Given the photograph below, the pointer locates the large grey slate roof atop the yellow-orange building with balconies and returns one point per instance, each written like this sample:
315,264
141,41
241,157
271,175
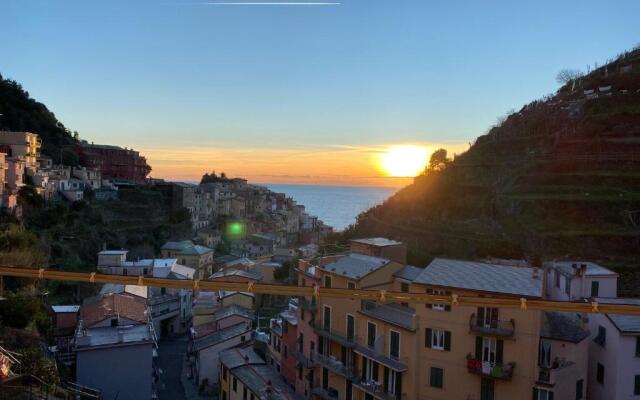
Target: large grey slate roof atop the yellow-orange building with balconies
483,277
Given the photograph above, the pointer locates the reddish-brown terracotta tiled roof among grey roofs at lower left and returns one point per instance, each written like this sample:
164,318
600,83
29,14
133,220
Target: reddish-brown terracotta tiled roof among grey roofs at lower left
114,305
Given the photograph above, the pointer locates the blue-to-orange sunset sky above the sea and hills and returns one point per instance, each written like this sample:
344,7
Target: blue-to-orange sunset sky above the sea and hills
311,93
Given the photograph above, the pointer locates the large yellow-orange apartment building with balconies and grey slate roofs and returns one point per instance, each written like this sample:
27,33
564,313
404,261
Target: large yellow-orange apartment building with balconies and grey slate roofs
369,350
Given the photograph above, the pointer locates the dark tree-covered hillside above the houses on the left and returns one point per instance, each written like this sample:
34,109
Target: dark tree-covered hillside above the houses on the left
22,113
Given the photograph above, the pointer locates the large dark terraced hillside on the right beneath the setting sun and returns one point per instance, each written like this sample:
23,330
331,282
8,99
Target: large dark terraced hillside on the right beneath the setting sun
559,178
